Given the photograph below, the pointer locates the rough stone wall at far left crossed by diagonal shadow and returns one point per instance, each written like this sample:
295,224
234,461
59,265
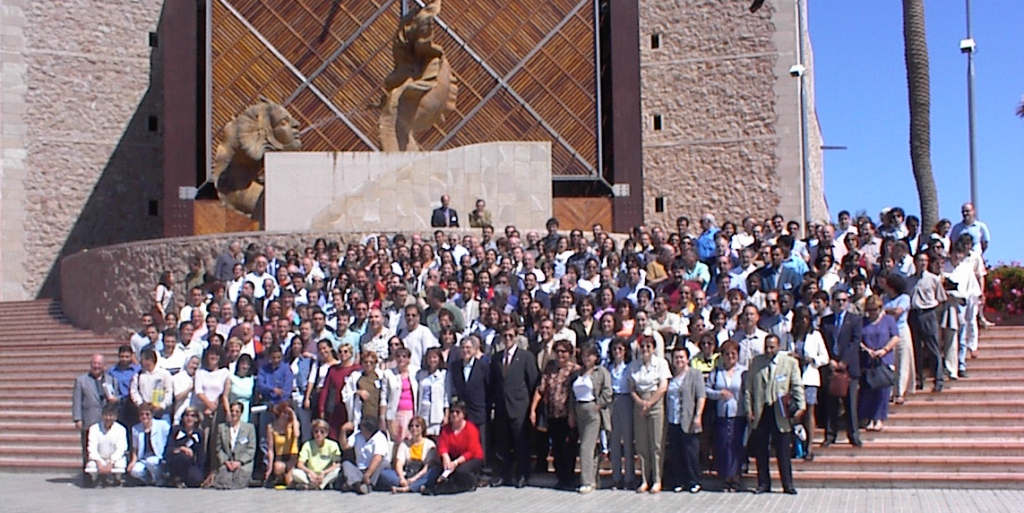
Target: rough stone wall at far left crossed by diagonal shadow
81,160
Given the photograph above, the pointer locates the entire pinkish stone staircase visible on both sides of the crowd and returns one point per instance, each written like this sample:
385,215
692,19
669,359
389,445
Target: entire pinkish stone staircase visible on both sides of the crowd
971,436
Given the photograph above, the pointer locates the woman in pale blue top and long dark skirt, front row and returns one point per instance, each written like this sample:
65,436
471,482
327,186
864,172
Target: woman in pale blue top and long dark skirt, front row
726,388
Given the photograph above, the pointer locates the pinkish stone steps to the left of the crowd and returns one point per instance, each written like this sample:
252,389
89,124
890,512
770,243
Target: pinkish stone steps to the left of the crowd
40,357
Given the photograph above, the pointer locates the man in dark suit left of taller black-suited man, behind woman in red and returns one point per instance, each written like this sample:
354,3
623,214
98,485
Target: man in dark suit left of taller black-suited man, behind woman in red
470,378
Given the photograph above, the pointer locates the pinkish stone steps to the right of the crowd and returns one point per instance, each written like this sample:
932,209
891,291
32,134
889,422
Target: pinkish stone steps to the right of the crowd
971,436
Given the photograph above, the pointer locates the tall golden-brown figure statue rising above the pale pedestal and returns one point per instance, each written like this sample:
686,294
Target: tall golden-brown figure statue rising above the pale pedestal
422,89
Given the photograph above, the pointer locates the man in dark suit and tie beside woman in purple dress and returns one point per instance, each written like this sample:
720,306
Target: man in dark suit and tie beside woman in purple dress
842,332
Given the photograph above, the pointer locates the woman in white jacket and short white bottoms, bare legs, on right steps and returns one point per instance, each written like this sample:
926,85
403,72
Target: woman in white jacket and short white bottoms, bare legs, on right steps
807,346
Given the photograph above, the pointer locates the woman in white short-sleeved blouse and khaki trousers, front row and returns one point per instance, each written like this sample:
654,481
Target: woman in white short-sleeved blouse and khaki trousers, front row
649,381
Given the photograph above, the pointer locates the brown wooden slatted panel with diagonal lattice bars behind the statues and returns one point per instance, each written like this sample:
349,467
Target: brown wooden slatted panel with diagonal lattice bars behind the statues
527,71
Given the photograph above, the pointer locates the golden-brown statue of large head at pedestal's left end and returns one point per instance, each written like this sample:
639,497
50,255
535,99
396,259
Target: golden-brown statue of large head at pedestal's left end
238,166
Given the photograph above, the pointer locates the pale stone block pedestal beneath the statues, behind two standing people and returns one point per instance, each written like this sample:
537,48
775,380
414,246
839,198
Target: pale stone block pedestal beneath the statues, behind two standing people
389,192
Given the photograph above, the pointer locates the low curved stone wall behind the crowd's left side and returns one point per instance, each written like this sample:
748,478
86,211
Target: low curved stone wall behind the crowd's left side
108,289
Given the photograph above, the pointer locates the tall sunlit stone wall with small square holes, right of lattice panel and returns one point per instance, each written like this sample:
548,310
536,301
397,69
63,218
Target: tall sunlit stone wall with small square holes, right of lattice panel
730,141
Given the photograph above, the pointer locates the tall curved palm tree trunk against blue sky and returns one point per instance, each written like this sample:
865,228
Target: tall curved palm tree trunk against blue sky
919,90
